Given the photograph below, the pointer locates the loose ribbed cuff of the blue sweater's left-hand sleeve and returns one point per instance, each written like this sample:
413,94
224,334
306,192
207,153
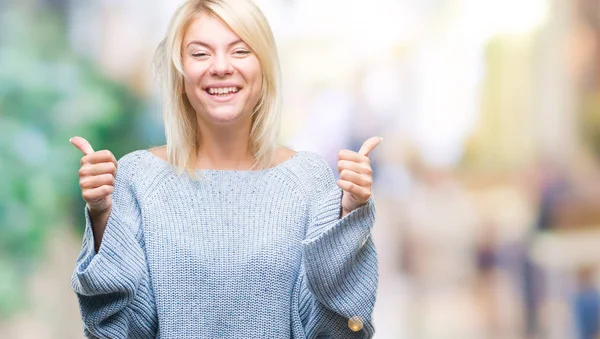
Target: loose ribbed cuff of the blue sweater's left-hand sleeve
119,263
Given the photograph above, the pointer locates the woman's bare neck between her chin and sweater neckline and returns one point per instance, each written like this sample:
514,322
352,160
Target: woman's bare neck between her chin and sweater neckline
225,147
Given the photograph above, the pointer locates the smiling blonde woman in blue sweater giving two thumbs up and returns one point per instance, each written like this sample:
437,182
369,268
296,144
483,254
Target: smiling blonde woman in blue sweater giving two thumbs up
221,233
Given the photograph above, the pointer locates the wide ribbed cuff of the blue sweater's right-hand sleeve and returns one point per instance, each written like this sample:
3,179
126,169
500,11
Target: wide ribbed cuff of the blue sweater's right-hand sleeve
340,260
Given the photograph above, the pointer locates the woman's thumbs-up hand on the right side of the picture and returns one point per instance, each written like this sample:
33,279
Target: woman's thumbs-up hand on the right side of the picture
356,175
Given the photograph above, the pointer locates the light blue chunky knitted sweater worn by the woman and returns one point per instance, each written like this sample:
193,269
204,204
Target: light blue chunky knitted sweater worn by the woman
236,254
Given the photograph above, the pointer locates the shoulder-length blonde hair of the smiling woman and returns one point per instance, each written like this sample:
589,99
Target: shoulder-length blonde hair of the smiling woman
181,126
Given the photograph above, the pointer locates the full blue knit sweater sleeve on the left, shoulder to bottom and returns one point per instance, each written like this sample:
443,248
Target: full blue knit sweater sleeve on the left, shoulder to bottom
113,286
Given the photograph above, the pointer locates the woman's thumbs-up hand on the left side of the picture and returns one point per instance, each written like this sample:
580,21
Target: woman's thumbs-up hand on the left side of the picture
96,176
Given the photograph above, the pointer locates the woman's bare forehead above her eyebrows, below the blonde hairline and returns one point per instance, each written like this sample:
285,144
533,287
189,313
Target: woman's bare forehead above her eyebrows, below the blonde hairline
209,29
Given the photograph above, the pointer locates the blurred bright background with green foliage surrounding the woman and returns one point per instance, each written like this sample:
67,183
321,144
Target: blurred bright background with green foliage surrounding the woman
487,181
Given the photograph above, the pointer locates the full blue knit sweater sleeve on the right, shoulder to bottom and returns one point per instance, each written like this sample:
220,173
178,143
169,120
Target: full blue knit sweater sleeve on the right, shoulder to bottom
339,274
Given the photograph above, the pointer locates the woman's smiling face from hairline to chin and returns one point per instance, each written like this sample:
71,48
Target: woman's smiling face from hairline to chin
224,77
